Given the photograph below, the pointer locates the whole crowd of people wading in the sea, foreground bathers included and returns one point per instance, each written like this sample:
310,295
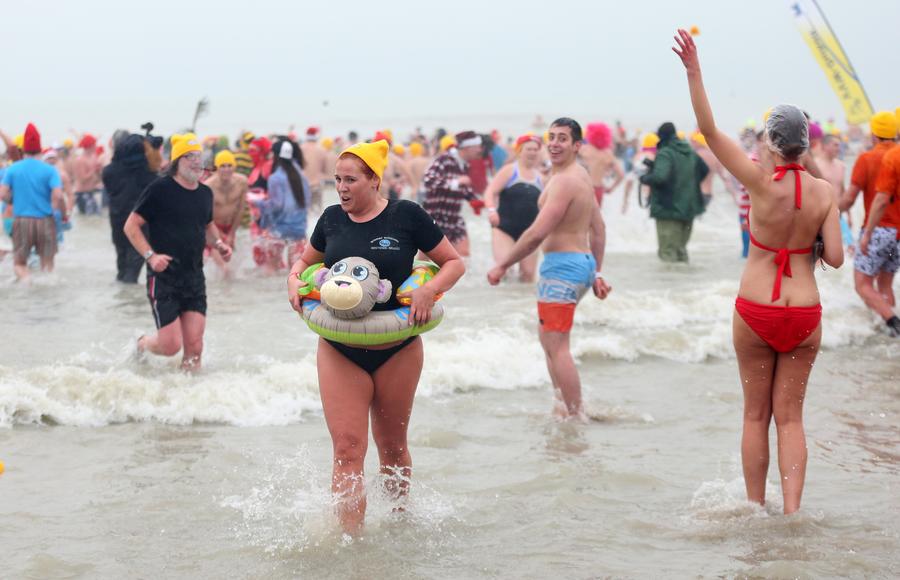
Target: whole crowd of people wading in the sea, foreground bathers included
175,203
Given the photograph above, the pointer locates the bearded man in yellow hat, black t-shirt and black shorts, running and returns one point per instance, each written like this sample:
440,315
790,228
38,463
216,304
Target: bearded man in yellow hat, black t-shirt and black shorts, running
177,210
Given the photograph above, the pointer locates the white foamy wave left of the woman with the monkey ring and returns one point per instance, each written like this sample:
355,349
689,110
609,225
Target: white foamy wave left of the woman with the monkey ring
72,393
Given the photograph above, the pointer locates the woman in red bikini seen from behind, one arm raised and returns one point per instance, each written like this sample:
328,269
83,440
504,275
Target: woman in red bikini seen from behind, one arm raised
777,318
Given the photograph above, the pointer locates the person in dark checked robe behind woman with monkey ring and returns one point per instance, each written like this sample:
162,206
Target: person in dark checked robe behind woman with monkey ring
448,185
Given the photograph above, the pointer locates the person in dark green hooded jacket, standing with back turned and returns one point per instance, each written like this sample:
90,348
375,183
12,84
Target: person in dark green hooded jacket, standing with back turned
675,197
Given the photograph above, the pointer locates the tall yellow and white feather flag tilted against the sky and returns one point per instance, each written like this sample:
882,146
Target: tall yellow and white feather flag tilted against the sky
831,57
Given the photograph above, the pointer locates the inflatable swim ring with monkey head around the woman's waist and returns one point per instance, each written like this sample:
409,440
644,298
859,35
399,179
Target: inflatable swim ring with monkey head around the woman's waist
337,303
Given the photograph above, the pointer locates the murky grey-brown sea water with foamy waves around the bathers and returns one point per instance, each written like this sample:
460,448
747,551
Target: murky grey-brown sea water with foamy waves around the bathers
122,467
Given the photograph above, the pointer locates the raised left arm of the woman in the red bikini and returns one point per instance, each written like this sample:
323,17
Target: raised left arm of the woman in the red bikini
725,149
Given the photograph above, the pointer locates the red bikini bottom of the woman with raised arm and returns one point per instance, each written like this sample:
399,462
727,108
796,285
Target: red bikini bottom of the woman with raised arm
782,327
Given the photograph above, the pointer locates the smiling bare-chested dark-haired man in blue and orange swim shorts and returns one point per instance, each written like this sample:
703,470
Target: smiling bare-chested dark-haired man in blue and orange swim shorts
570,231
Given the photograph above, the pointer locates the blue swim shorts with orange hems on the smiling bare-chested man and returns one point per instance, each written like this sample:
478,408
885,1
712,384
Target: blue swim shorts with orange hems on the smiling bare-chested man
565,278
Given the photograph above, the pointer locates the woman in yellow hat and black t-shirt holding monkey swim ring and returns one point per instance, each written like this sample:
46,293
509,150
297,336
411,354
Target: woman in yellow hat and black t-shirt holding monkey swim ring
356,383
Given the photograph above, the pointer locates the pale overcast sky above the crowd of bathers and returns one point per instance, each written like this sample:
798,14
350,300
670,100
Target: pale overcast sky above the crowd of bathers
96,65
